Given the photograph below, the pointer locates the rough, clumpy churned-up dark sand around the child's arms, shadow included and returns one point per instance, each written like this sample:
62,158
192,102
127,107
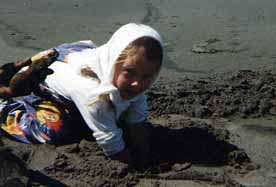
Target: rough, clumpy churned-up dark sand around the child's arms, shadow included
187,143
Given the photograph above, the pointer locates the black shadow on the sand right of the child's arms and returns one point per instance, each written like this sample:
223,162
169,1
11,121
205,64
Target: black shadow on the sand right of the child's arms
197,144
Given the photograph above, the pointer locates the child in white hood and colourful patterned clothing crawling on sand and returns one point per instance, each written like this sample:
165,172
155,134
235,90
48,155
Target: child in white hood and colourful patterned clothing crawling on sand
105,84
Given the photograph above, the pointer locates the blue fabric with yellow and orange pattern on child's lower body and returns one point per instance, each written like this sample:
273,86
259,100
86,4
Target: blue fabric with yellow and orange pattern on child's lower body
33,120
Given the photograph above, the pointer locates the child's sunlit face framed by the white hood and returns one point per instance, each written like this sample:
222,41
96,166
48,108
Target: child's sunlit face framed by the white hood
135,75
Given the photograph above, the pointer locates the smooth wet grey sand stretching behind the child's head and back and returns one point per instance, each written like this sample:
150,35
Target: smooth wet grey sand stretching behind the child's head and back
245,30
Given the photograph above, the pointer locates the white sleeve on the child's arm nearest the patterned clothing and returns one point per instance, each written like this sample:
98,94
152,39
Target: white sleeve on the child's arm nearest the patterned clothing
100,118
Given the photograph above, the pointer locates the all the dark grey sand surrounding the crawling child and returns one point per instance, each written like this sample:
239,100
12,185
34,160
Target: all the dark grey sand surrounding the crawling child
212,110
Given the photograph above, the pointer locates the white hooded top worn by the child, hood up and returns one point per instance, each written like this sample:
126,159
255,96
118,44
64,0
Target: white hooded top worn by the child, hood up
68,82
